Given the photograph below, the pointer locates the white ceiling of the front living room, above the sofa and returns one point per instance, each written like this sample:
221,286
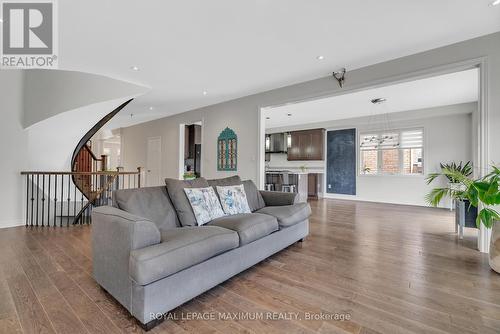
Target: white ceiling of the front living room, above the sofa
233,48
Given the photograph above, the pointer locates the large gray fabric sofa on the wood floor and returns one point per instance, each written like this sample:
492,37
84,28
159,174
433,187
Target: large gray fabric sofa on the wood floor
149,254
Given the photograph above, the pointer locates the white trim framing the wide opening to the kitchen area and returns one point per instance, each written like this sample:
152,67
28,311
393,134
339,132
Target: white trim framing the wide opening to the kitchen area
481,63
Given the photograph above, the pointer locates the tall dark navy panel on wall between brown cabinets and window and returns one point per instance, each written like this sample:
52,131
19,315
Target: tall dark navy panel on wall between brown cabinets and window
341,162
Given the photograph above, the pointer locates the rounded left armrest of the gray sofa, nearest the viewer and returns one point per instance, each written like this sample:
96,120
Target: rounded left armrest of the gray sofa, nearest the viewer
115,233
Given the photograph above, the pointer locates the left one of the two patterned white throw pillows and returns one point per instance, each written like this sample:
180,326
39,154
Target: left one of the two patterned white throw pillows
205,204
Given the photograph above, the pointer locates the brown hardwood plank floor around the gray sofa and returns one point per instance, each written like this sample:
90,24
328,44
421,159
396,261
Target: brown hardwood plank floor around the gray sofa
387,268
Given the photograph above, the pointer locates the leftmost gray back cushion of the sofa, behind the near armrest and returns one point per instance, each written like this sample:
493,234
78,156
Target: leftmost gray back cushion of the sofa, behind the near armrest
151,203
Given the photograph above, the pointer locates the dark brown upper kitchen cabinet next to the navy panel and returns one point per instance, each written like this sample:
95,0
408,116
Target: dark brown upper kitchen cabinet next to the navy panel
307,145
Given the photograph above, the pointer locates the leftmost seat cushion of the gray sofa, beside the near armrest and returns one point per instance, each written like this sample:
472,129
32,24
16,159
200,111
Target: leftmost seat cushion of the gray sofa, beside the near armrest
180,248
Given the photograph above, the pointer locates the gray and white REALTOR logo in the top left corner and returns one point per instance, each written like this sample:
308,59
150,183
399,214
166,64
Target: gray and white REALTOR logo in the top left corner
29,34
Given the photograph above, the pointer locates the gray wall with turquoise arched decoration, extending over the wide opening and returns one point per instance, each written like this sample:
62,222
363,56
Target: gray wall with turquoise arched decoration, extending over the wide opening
242,114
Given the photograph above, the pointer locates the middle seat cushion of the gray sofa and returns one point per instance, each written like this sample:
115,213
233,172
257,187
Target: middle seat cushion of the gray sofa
249,226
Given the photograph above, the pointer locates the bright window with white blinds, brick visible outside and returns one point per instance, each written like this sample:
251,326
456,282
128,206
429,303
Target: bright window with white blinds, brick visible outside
395,152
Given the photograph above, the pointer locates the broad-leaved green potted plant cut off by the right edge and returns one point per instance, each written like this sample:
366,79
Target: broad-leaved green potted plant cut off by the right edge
484,193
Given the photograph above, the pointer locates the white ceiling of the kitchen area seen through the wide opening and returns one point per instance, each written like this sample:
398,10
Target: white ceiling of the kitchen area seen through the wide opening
443,90
